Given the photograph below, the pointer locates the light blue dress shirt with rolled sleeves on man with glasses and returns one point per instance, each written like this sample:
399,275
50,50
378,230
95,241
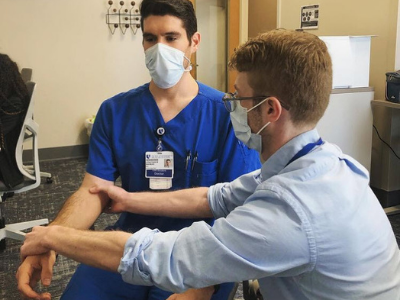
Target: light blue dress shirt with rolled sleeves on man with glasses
311,229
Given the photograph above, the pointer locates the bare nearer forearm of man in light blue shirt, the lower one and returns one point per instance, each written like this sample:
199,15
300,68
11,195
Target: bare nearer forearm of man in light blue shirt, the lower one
95,248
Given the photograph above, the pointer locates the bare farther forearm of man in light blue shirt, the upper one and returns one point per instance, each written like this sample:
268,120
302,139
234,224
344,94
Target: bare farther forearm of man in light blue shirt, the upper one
187,203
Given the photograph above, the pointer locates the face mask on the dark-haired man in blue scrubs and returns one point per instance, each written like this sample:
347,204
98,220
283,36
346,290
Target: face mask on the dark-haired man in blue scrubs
165,65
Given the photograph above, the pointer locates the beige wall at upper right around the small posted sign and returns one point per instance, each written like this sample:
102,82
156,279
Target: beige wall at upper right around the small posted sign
357,17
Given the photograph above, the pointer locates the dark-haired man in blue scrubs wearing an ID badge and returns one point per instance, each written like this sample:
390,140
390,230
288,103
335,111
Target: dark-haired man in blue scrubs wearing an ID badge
173,118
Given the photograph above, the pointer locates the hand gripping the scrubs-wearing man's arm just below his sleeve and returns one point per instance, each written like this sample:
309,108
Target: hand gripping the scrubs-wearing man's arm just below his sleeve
118,197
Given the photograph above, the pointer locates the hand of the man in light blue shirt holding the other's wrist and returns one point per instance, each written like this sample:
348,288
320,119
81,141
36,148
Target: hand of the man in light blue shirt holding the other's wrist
33,244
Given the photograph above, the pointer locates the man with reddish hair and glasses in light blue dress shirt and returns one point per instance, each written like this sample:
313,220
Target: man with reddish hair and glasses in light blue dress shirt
306,225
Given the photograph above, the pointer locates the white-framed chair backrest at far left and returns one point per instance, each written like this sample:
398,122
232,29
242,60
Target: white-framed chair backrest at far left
29,129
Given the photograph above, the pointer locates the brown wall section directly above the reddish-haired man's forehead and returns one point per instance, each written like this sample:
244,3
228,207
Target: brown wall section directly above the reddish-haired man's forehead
262,16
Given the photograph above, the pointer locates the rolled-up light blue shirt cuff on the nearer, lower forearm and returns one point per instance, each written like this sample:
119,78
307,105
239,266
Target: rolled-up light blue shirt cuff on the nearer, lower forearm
131,266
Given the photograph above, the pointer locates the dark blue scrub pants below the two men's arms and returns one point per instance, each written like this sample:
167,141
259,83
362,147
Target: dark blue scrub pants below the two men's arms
90,283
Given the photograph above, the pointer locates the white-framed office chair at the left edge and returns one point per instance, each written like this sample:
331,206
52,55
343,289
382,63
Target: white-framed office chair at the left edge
31,178
